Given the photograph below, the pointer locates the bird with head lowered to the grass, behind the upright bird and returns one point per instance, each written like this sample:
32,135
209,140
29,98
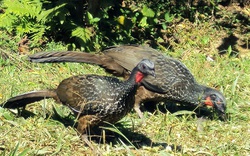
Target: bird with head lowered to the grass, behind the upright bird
174,82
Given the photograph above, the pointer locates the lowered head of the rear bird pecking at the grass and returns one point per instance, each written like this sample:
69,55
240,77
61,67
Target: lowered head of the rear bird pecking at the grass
215,99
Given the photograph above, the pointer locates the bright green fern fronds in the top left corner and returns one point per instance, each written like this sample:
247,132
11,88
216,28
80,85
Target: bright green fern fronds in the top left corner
24,17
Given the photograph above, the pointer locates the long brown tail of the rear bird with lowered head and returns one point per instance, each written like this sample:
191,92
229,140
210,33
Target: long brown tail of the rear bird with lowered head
66,56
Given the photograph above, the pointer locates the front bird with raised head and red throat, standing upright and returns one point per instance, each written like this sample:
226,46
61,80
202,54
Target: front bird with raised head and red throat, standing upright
94,99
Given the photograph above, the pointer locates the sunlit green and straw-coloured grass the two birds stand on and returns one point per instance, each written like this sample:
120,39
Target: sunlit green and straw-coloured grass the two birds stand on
47,127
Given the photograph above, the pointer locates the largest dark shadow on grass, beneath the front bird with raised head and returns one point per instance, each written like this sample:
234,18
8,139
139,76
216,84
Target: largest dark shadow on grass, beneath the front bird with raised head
119,135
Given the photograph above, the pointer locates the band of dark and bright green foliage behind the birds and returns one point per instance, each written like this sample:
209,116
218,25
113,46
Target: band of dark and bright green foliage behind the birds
80,26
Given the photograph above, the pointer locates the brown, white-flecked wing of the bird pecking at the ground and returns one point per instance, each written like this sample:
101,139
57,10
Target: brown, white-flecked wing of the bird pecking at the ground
170,73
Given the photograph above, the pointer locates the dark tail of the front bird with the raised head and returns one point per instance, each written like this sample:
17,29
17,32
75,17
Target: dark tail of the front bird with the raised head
30,97
